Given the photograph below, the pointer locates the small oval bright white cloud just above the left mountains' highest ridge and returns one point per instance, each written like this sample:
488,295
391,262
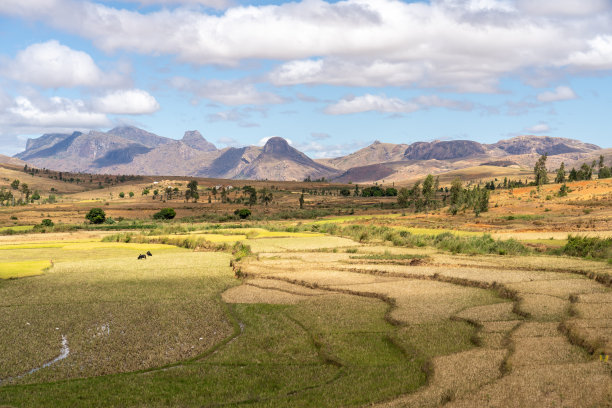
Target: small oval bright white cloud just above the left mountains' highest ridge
126,102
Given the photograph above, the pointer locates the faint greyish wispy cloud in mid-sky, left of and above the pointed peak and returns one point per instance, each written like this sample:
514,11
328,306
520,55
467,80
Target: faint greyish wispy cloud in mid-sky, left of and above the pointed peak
232,93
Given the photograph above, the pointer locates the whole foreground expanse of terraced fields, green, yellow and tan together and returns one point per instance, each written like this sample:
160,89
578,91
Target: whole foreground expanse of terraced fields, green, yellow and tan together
313,320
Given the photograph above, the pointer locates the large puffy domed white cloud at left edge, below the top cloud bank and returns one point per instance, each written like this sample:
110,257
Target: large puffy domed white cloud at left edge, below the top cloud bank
53,65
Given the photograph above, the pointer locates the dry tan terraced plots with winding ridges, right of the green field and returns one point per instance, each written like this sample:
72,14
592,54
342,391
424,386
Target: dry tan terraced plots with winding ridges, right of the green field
541,349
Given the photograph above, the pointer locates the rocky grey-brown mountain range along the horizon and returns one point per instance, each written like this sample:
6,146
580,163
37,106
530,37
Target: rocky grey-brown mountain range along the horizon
130,150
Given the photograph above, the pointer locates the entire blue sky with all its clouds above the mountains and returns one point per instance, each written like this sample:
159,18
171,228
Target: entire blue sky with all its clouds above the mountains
330,76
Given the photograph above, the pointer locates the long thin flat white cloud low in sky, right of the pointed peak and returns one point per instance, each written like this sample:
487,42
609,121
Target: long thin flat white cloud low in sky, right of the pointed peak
382,103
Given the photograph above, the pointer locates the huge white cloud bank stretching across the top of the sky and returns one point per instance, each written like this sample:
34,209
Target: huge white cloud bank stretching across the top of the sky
453,44
